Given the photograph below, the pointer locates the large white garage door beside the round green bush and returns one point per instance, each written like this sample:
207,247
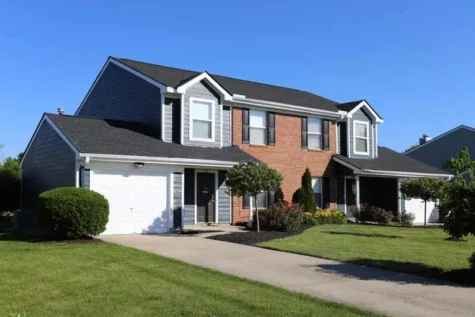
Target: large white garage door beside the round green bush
137,200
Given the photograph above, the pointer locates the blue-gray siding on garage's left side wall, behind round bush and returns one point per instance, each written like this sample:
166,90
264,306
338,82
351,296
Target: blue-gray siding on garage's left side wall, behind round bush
49,163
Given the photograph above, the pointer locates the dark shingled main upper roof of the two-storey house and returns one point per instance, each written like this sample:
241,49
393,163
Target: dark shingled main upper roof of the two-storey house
173,77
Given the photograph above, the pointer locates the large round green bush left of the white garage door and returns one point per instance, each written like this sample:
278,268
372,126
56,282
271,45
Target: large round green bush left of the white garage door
72,213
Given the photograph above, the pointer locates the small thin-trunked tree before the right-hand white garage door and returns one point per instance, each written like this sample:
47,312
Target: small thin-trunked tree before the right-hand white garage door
427,189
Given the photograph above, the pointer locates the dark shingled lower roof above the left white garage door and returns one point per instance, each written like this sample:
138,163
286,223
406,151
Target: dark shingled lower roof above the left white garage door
114,137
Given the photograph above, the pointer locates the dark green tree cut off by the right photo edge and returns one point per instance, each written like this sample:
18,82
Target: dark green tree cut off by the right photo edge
459,196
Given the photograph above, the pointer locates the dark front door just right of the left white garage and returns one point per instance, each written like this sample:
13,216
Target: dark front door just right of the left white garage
205,200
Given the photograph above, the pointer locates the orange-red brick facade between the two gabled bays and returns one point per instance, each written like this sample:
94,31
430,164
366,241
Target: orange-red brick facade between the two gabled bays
287,157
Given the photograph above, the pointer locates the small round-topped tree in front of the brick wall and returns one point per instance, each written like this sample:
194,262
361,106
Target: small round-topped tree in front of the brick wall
252,179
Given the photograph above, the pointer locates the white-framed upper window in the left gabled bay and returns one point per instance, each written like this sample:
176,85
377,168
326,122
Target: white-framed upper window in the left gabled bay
201,119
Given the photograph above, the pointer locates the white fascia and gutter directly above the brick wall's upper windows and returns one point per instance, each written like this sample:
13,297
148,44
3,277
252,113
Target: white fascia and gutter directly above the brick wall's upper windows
286,108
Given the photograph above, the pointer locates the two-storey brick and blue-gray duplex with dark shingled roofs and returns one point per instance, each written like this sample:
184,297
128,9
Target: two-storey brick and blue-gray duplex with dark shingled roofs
157,141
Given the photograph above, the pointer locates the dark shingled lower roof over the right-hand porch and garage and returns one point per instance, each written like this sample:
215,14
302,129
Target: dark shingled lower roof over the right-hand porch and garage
389,160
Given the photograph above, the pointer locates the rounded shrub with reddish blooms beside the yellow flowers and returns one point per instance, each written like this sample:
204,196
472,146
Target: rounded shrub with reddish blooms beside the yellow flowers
281,216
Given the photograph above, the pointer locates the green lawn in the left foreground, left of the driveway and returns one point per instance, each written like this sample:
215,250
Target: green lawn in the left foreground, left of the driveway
102,279
